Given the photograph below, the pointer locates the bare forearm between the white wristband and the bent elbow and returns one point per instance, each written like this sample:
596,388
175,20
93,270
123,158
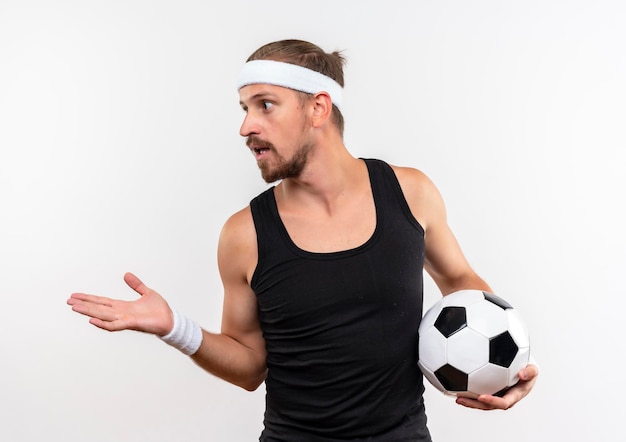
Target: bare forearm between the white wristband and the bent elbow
231,360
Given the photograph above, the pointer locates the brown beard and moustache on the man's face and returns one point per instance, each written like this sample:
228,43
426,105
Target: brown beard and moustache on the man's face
282,167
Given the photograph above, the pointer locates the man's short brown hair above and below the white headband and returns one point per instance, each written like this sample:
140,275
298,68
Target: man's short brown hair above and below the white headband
308,55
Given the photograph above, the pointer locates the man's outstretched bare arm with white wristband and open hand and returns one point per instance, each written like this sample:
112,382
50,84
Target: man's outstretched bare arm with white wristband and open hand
237,354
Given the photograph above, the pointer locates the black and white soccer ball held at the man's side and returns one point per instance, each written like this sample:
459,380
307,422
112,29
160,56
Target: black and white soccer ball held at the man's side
472,343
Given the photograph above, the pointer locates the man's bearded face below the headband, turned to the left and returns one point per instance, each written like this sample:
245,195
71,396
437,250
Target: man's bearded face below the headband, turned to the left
276,129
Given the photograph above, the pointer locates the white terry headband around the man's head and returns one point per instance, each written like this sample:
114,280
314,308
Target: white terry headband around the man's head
291,76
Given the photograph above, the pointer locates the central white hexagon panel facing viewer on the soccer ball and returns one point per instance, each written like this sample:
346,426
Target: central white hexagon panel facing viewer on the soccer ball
468,350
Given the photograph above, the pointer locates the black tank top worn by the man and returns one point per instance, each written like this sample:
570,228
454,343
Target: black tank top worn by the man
341,328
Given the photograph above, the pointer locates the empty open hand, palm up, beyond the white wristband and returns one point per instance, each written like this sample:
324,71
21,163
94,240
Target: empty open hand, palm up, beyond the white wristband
150,313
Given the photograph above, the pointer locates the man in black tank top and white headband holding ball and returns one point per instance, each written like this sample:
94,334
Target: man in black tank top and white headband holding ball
322,273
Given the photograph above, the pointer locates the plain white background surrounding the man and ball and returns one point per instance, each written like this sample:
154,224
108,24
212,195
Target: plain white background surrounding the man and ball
119,151
